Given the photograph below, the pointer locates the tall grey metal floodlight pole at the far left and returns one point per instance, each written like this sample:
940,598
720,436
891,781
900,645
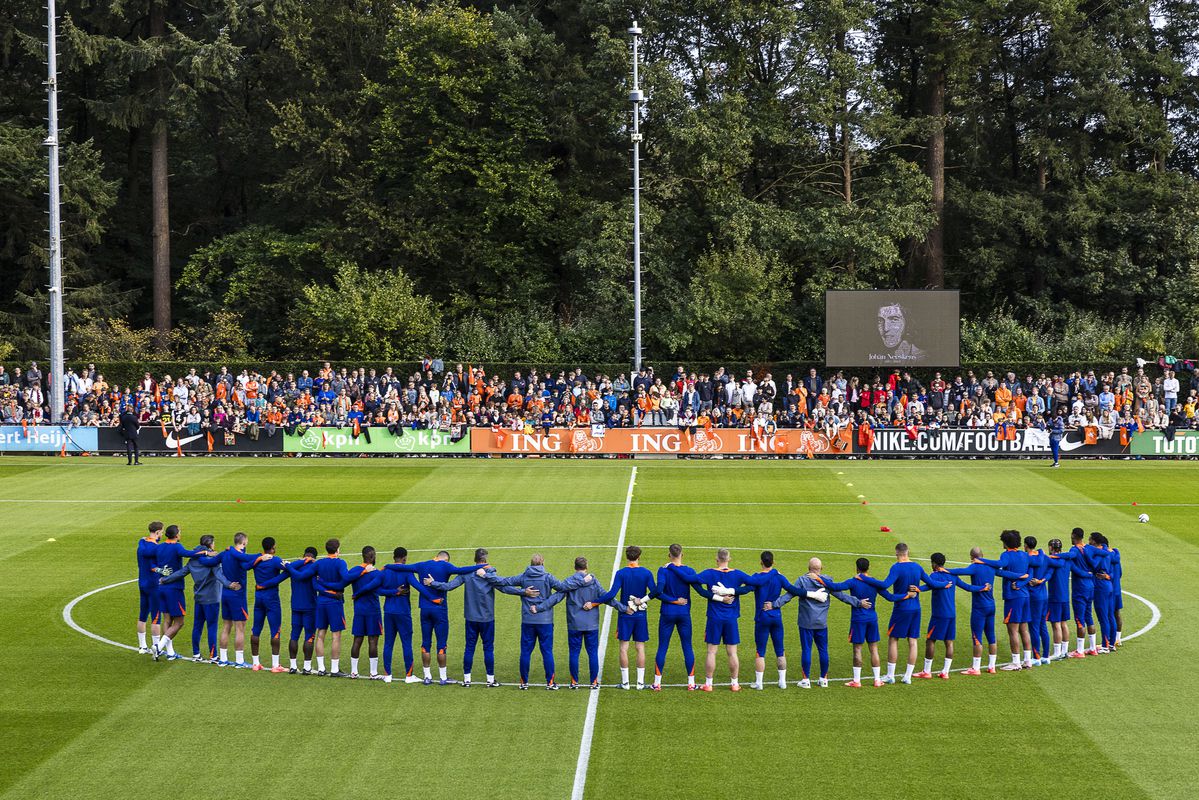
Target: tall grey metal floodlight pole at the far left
56,290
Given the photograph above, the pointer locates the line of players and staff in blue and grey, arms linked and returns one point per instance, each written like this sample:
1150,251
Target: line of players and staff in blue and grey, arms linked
1040,592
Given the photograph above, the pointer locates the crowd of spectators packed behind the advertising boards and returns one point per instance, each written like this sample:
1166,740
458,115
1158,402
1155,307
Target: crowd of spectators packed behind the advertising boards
462,396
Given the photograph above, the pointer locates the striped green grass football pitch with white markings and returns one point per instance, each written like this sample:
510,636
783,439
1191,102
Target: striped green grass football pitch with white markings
82,718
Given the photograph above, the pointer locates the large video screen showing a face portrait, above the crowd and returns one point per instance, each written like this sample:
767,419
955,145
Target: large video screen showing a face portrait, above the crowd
891,329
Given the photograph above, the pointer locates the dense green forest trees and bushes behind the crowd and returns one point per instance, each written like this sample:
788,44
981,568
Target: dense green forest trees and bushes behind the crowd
473,160
